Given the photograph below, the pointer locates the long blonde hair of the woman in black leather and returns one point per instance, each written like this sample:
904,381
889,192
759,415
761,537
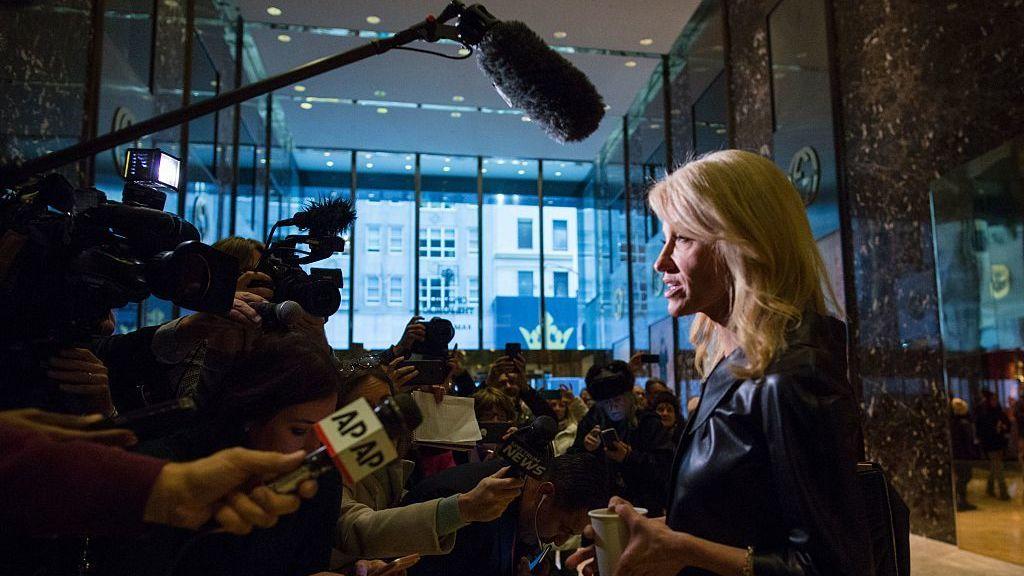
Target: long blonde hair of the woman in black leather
746,209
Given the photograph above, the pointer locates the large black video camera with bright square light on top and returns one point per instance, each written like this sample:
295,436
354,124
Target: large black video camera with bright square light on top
70,256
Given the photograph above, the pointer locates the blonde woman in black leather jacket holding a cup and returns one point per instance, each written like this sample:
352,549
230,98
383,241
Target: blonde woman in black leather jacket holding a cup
764,477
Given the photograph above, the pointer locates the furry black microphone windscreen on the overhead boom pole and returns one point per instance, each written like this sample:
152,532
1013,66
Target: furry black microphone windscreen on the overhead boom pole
540,81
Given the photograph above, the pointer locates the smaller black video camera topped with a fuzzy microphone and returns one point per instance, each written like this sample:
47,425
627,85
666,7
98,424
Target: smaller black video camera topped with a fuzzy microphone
319,293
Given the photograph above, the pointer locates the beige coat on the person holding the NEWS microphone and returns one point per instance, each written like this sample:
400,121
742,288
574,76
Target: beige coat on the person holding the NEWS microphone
372,526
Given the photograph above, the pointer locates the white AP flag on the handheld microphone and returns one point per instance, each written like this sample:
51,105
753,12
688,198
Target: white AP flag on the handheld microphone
357,441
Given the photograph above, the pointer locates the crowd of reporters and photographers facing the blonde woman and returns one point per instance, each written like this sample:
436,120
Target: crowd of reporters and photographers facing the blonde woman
194,501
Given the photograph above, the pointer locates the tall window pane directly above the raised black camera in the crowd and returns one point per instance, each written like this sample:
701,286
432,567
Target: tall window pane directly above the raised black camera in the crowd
448,188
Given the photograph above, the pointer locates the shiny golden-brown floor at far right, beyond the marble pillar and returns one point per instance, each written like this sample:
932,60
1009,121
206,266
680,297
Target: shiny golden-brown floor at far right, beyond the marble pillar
997,528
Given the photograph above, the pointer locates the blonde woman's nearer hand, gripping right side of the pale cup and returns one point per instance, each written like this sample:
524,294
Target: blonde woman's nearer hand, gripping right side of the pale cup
654,549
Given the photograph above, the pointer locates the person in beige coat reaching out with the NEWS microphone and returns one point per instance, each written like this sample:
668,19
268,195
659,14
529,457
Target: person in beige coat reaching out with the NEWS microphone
373,522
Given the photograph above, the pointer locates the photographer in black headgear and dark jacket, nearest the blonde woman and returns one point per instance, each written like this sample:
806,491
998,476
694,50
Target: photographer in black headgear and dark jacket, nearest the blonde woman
633,443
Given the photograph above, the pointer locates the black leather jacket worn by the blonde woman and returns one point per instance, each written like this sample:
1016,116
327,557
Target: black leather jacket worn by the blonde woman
772,463
